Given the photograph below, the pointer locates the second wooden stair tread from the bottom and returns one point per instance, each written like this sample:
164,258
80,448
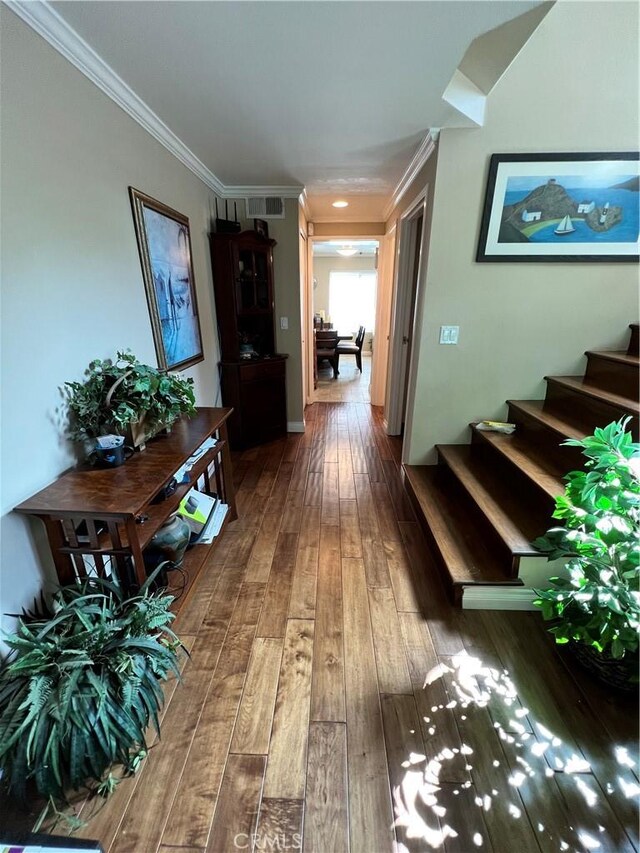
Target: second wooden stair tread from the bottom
514,524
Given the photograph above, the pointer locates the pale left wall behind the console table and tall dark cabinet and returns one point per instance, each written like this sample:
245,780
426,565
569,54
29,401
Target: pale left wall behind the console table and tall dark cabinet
72,286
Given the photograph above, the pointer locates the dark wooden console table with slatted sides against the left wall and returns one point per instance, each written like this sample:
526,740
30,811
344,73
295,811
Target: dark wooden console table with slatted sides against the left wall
117,509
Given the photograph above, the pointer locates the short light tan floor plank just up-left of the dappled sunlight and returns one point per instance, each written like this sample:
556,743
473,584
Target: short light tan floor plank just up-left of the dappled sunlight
391,659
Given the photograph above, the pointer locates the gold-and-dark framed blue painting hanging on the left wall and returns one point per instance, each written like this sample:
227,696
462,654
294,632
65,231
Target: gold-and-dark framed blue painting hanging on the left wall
164,245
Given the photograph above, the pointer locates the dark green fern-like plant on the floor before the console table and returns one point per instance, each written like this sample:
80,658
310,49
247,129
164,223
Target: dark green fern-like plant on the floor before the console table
80,686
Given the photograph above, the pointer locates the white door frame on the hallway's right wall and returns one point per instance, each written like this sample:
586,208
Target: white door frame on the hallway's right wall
400,359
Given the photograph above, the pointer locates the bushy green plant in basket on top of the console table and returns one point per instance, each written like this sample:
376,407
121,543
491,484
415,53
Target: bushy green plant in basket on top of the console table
116,393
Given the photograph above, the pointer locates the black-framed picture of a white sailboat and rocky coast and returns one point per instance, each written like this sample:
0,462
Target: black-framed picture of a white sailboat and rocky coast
562,207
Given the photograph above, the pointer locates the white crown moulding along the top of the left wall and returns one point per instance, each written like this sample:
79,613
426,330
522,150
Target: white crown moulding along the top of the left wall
39,15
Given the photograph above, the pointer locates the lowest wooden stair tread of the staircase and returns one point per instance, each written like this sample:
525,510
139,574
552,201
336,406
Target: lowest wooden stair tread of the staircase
467,559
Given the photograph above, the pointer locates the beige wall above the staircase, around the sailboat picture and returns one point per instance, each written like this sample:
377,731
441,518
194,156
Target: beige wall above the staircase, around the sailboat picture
520,321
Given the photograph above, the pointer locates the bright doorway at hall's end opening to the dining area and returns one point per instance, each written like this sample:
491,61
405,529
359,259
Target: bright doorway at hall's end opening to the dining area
344,276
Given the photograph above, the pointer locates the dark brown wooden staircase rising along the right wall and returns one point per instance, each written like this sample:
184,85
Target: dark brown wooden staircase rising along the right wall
483,503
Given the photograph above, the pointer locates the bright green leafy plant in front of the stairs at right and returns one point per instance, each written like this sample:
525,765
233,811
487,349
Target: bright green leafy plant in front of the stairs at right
598,604
